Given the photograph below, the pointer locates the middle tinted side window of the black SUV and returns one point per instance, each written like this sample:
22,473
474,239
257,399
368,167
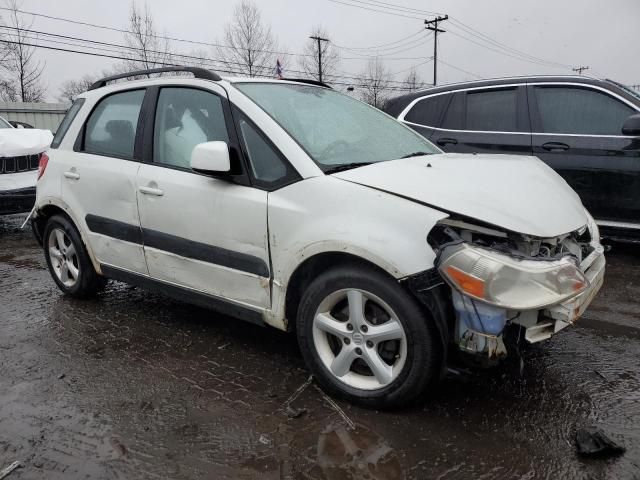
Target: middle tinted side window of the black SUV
492,111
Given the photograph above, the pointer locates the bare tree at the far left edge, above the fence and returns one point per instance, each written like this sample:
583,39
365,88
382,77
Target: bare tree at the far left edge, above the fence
21,71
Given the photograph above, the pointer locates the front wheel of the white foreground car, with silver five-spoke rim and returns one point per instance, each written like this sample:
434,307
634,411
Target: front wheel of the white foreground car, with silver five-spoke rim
411,352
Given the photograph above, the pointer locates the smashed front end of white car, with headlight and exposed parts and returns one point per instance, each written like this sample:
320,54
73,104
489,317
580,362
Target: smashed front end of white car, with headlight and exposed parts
499,278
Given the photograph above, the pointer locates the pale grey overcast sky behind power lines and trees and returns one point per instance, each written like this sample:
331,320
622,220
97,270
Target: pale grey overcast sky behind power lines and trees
602,35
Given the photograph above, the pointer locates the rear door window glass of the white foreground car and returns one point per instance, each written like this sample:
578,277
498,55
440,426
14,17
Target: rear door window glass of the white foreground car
111,128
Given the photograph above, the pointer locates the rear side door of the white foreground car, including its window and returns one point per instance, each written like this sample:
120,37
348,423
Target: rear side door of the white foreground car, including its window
99,180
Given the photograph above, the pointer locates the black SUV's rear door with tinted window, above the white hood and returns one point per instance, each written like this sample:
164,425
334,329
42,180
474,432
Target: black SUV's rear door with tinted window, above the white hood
486,120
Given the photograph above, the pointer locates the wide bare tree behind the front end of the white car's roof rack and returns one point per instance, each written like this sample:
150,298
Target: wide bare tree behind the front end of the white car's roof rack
251,45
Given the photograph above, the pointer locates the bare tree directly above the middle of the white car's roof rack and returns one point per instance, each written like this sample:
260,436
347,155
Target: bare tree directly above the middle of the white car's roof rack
146,48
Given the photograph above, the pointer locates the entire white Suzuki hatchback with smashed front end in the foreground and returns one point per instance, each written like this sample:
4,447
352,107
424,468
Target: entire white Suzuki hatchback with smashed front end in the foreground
289,204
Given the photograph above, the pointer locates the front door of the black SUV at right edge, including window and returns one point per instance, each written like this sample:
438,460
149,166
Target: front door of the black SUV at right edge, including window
577,130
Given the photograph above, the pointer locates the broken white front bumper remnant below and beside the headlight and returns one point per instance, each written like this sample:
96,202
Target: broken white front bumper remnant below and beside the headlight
557,317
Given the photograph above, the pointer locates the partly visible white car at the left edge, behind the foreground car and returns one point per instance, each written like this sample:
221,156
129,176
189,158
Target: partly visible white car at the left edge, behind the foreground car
20,152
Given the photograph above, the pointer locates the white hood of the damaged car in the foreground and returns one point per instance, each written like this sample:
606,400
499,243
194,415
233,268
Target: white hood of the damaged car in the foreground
517,193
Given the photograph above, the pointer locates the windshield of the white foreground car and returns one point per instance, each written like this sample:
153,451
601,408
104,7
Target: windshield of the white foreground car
333,128
